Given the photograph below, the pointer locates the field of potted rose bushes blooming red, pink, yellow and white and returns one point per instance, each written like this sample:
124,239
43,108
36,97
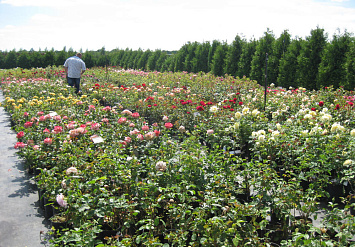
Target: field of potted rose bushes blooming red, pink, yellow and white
183,159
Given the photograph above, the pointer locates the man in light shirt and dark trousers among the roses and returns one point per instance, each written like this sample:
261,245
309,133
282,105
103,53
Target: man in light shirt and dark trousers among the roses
74,68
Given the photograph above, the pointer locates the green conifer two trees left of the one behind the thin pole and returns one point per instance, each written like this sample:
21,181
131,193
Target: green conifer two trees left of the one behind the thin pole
233,56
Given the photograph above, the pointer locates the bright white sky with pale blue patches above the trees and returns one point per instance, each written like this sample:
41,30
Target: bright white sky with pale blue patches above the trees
162,24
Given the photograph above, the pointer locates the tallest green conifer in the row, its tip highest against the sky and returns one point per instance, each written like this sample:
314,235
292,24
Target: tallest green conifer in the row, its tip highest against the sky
310,57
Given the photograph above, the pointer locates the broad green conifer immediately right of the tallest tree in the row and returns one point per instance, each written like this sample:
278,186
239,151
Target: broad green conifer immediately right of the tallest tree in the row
332,69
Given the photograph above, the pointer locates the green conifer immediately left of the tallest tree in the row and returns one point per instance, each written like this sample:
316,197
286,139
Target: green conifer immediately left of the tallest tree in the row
288,65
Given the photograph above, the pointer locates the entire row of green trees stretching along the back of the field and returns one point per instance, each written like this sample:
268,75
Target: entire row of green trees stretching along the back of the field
313,62
